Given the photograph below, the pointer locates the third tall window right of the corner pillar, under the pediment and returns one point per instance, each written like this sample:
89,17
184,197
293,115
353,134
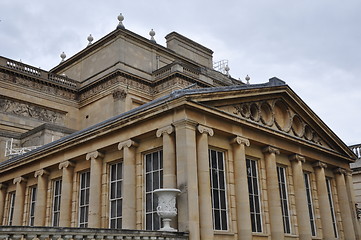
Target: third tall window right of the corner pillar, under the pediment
281,172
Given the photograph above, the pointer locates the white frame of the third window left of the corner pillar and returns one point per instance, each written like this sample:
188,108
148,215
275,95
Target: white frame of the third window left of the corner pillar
85,205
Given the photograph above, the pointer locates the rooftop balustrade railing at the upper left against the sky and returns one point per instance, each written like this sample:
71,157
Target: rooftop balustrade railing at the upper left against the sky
37,72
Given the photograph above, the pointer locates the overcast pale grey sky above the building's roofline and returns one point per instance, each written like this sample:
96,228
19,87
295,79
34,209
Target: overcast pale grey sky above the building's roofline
313,45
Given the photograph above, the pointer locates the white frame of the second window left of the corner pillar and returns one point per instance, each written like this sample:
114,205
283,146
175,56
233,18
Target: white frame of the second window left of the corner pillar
118,219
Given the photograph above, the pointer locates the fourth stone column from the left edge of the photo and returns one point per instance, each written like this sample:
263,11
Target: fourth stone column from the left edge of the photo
66,193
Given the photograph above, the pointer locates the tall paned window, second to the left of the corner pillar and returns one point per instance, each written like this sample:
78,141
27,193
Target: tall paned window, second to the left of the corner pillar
115,197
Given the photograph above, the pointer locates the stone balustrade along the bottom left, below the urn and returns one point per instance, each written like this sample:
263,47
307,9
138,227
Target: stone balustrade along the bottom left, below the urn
54,233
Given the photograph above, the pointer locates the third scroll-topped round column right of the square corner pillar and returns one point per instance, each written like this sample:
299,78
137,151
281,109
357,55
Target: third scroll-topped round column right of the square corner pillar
273,193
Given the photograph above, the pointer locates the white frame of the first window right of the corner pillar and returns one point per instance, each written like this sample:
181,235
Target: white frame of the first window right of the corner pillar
215,187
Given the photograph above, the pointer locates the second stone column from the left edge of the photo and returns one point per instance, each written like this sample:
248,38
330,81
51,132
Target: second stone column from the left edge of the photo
19,201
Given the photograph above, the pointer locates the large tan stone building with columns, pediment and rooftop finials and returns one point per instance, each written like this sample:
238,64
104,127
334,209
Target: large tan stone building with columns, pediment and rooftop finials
86,144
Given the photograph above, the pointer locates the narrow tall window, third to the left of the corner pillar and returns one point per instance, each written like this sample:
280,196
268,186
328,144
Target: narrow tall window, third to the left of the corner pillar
84,199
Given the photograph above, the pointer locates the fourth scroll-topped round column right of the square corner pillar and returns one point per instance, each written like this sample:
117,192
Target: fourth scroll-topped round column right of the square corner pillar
302,212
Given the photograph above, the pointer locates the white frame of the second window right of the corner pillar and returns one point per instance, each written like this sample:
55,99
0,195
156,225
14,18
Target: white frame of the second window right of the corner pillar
256,220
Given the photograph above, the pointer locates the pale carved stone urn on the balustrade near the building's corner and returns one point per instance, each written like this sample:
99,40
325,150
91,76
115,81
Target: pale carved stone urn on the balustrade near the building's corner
166,208
